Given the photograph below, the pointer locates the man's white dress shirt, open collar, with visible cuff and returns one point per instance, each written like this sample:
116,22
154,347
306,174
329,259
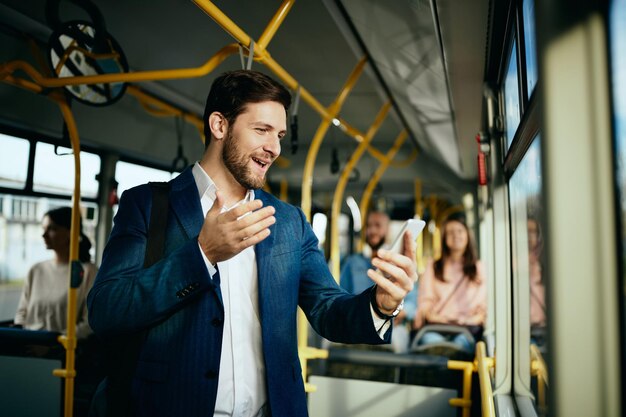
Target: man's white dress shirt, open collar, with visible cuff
241,389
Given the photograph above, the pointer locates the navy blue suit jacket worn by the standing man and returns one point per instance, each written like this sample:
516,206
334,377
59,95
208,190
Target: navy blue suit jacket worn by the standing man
177,301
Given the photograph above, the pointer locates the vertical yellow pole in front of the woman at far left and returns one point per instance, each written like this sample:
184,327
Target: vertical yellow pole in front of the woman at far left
69,340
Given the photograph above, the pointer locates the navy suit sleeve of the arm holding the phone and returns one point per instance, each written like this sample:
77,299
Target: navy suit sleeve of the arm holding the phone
334,313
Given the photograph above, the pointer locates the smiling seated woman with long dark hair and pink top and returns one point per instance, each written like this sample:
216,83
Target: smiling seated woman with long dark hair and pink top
453,289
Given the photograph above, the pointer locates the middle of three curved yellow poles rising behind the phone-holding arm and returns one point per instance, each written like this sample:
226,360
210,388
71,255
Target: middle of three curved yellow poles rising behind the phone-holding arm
341,186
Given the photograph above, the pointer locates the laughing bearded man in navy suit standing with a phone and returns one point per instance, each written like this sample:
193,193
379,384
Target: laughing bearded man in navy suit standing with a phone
219,309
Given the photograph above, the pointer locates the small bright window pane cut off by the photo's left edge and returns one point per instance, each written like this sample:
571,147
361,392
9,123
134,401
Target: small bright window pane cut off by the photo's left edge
13,161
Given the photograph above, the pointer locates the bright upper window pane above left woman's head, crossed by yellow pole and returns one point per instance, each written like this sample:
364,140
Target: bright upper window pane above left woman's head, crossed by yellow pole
55,173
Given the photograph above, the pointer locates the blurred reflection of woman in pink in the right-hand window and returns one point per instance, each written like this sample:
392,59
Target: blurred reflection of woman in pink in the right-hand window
537,289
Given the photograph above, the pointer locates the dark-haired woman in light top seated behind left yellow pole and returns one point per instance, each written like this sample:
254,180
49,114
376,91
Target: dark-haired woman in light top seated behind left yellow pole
43,304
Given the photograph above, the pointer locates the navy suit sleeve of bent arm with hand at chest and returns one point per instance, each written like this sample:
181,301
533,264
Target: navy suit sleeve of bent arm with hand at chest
126,297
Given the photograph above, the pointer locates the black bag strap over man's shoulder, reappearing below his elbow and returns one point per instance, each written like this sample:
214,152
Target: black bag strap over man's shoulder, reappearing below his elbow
125,353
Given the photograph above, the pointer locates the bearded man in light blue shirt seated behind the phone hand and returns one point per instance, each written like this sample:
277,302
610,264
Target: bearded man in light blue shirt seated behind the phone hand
355,280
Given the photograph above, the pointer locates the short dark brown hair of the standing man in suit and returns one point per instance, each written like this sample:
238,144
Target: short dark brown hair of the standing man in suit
232,91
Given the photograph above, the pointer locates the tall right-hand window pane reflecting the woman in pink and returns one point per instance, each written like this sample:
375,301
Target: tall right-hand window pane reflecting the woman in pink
528,258
